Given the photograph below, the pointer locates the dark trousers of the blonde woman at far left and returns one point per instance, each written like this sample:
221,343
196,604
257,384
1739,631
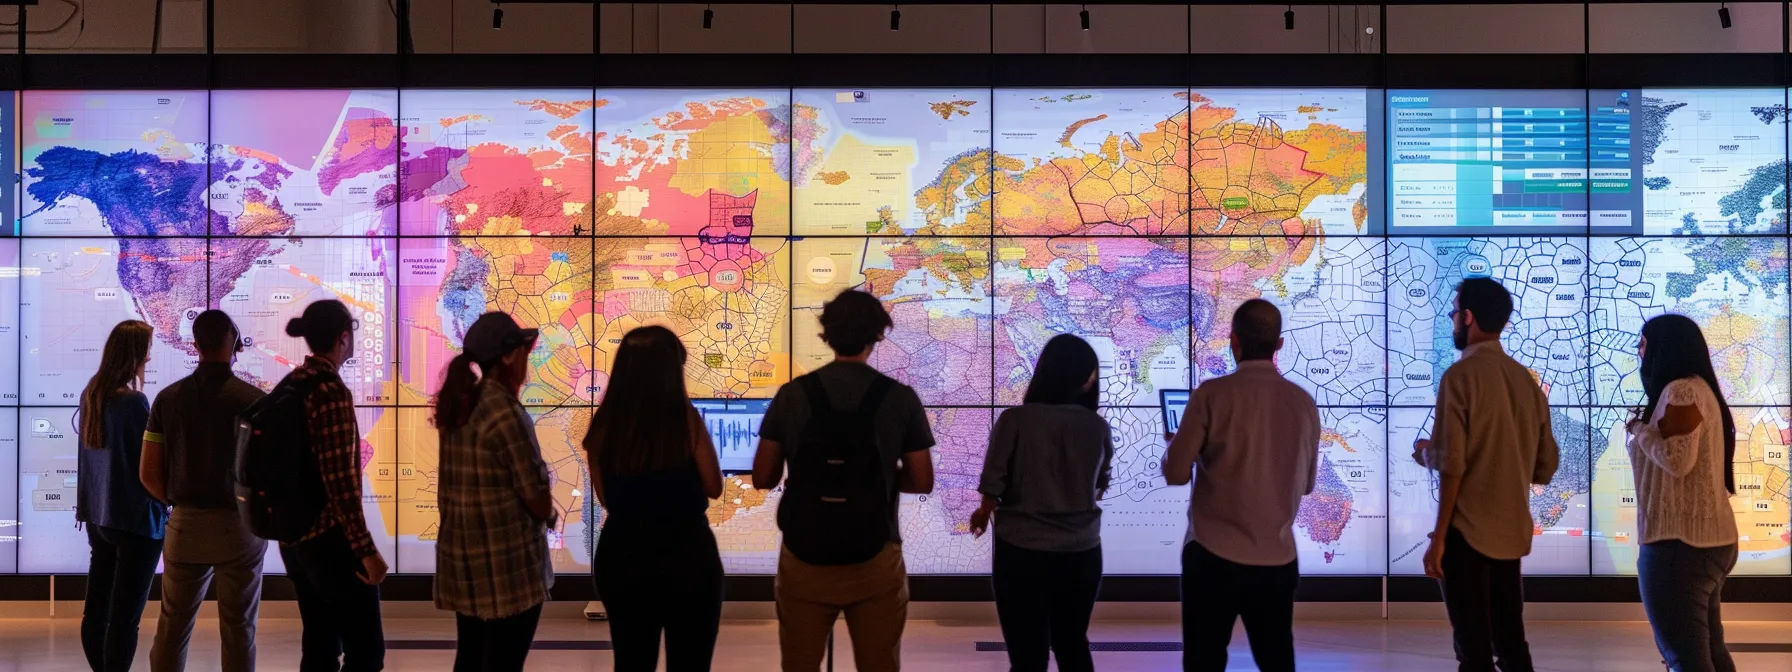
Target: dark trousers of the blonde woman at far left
119,576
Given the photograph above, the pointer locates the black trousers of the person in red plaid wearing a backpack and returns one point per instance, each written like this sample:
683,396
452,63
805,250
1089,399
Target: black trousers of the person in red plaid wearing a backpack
338,612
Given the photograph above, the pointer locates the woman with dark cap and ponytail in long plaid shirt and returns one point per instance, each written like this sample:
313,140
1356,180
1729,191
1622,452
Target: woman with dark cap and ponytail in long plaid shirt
495,495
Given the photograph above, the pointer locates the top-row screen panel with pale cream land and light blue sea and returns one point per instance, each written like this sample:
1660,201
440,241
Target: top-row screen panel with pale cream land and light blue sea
893,162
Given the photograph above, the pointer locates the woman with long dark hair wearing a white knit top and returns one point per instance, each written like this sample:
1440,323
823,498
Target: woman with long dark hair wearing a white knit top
1684,444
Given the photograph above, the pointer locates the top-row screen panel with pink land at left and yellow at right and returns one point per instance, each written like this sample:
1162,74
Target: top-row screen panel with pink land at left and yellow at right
668,160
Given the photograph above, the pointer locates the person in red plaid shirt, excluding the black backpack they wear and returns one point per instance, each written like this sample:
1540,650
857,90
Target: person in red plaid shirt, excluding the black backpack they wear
336,569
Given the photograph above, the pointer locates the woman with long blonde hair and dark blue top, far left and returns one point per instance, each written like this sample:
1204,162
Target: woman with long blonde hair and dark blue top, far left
125,524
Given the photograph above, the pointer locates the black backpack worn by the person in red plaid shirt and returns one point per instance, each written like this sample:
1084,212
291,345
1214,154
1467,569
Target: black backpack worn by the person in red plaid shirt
280,492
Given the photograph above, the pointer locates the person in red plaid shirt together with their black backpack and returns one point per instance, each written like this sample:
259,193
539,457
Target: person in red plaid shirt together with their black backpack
300,481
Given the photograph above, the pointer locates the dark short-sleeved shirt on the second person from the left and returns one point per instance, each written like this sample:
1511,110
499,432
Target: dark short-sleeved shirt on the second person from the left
196,422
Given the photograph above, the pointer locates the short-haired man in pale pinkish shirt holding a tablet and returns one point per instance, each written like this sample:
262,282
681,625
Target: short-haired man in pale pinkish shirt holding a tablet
1254,438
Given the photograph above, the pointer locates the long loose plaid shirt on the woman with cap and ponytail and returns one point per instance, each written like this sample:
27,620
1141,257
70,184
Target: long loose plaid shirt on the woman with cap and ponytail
492,555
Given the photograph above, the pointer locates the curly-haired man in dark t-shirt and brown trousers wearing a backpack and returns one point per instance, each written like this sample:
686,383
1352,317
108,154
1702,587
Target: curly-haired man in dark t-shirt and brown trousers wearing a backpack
852,440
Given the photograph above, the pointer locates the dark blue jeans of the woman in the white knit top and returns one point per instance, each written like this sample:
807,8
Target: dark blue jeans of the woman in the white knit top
1684,594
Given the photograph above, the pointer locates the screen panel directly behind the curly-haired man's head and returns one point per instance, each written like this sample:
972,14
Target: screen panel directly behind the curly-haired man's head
938,295
